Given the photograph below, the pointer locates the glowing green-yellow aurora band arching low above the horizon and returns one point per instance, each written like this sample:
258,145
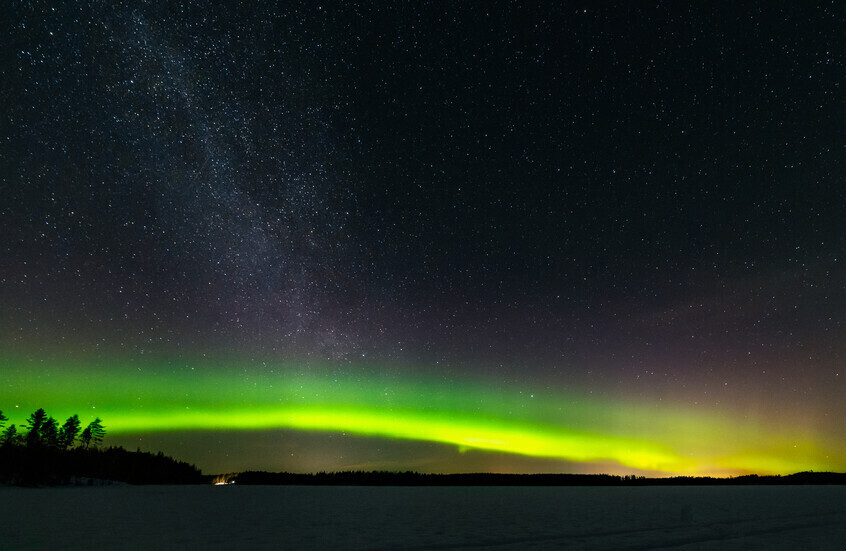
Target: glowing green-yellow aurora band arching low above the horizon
135,399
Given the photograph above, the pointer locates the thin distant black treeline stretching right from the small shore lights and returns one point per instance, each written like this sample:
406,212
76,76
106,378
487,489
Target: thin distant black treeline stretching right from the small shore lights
384,478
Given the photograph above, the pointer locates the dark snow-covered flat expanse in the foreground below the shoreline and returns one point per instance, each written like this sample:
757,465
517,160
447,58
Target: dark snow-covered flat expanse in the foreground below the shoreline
387,518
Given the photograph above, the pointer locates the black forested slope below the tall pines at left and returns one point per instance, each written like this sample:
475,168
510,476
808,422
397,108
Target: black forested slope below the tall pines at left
28,466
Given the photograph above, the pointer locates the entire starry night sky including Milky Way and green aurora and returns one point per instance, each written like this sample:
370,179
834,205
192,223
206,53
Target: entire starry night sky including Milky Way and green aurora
511,237
